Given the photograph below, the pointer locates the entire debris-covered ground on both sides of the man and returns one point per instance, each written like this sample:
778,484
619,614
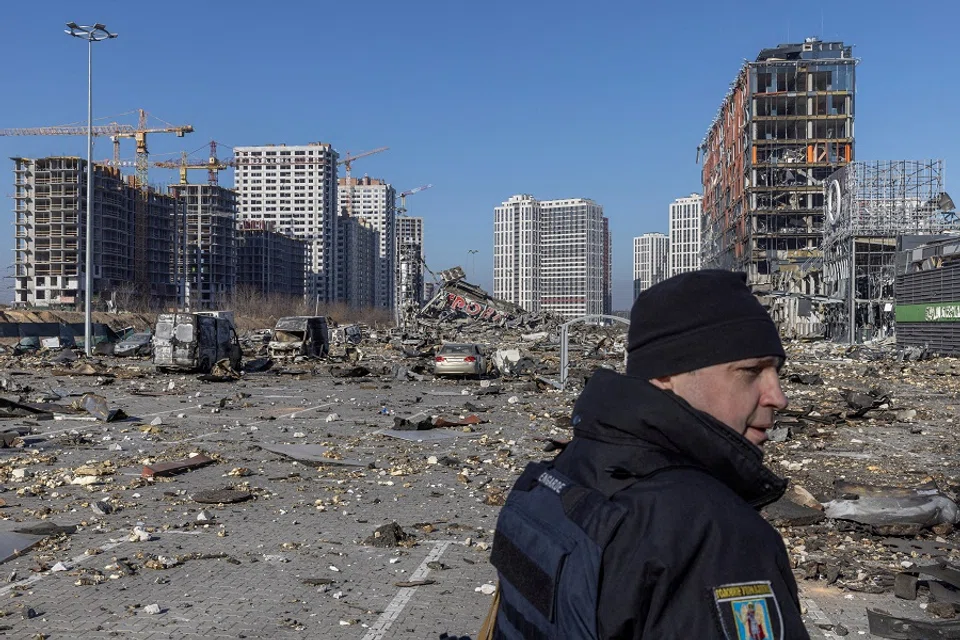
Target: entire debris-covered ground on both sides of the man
355,496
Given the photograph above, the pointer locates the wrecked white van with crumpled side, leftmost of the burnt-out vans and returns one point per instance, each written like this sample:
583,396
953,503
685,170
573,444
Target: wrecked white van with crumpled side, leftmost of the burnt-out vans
195,341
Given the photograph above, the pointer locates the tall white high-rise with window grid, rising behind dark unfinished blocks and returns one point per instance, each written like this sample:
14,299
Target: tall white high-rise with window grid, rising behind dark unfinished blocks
295,189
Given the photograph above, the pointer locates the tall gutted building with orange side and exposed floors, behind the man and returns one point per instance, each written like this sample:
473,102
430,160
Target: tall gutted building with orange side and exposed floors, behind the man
784,127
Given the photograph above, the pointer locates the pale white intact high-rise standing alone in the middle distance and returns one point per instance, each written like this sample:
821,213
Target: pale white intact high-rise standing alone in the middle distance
551,255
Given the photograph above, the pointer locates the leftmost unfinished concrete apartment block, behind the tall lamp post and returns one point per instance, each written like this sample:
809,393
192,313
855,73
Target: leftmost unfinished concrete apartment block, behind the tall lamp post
50,208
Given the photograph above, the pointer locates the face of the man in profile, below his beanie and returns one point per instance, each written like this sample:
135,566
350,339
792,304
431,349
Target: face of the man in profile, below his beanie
743,395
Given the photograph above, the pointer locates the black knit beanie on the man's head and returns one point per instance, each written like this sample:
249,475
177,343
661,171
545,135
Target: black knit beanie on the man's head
695,320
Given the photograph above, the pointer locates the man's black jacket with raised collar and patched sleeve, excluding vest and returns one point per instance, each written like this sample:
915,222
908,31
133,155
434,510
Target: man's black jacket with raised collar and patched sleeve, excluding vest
693,557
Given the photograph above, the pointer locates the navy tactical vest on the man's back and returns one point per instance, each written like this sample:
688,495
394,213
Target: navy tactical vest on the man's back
548,551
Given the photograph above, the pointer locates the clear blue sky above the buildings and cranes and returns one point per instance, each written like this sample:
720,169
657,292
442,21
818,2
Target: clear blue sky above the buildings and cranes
604,100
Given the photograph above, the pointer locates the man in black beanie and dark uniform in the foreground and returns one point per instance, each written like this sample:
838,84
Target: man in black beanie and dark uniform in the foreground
647,524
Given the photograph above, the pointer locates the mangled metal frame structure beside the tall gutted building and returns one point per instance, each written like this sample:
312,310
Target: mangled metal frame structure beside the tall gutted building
868,206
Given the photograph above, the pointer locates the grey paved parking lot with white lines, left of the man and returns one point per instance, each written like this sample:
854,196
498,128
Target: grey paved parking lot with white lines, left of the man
289,562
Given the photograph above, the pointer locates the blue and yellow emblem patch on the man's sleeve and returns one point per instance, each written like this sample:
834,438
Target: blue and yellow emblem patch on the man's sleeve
748,611
